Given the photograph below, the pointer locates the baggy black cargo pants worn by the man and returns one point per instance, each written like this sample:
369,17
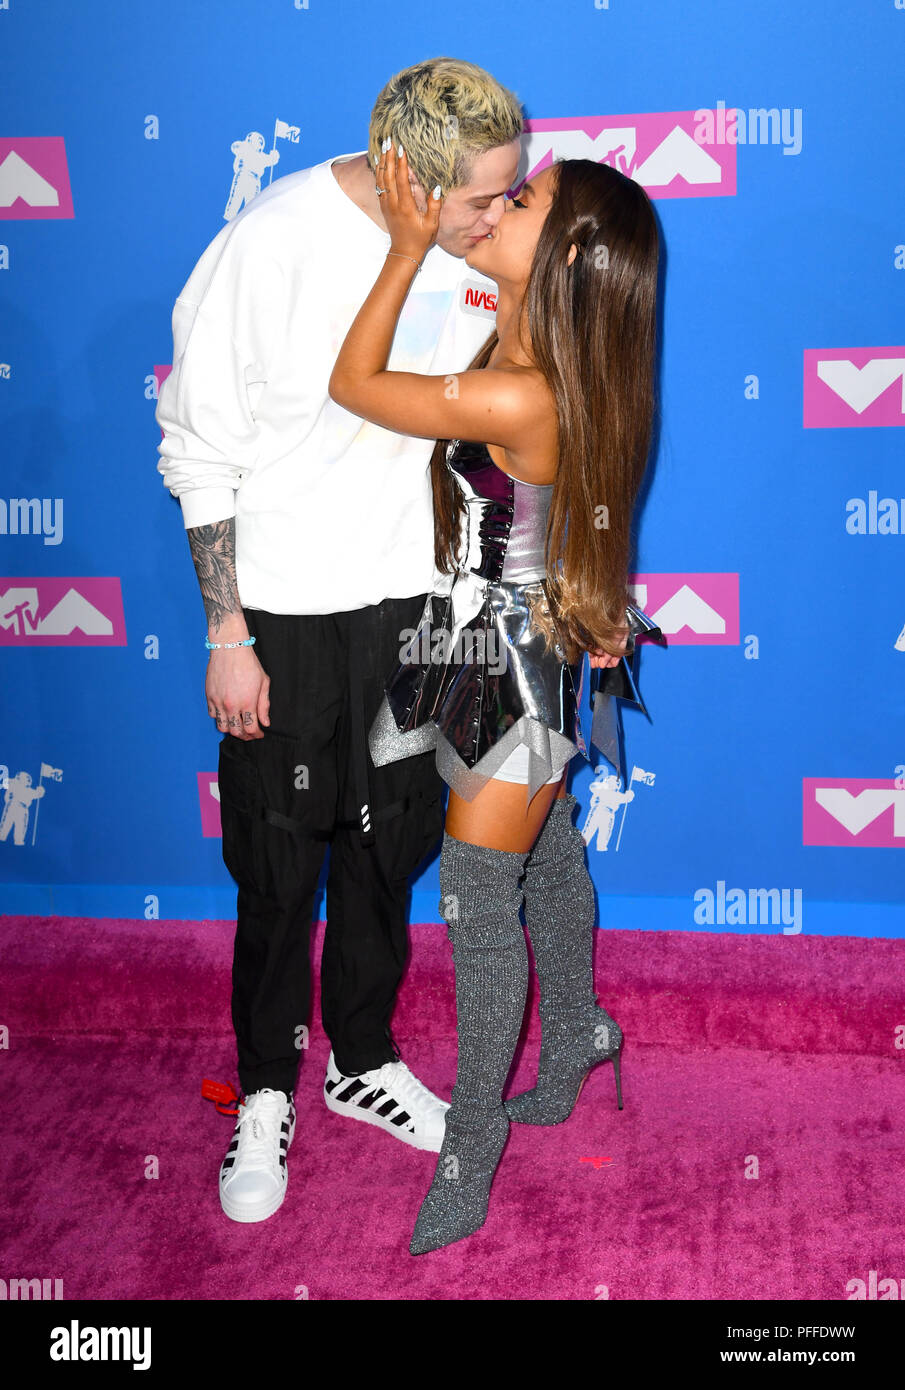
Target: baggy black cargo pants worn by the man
284,799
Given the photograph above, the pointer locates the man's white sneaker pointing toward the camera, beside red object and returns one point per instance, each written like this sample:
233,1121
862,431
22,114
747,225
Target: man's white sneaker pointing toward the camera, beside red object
254,1175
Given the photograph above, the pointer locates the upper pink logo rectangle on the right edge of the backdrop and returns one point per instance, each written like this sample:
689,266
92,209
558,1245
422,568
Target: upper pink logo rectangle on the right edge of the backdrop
854,387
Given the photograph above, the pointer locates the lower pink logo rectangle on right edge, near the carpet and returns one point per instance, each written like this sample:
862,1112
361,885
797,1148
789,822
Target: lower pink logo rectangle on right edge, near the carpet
854,812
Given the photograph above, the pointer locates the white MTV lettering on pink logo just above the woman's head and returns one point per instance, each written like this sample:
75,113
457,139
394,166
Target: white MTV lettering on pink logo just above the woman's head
678,154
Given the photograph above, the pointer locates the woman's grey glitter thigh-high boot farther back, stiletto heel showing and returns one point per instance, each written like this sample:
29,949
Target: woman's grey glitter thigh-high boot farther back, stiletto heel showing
576,1033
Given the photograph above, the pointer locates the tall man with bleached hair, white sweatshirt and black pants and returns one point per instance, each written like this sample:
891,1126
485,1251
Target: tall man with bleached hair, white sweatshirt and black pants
313,543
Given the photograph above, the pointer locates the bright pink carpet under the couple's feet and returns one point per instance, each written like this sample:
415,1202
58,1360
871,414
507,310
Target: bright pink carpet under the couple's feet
737,1047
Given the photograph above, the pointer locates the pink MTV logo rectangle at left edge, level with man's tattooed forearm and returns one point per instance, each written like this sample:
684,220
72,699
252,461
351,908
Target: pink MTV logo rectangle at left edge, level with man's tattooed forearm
58,612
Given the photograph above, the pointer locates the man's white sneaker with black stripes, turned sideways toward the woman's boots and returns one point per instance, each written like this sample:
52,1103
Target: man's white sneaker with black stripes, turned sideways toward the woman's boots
393,1099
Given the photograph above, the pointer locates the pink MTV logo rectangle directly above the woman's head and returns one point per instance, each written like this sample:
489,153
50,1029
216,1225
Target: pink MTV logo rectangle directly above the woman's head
657,149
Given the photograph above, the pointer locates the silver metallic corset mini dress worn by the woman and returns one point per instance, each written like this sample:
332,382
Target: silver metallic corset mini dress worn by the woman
476,680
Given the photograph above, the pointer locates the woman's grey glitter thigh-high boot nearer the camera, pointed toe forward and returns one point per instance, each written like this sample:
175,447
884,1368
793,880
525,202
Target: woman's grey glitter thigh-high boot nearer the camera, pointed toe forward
480,903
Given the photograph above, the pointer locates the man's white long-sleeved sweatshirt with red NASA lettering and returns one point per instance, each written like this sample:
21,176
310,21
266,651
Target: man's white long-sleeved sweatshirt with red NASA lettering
333,514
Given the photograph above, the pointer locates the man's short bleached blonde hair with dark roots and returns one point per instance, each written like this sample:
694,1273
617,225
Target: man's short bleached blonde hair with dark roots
444,113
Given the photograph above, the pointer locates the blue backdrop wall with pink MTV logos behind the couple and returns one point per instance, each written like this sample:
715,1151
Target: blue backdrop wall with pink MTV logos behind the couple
771,536
